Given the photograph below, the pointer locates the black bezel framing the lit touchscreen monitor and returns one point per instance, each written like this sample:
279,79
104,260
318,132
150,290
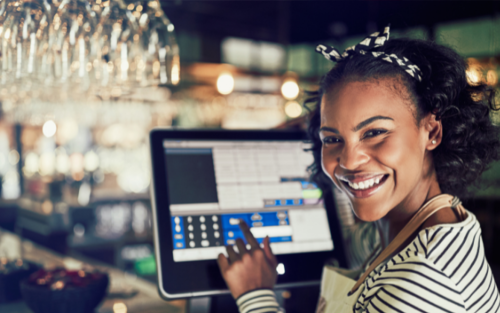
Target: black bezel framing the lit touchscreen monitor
176,279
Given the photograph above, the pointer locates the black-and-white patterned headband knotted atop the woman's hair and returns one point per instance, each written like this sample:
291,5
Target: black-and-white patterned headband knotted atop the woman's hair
365,47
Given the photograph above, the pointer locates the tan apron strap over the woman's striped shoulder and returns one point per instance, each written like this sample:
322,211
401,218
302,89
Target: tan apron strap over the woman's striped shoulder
432,206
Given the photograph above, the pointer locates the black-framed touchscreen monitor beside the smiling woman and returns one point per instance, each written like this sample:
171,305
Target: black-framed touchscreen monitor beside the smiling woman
206,181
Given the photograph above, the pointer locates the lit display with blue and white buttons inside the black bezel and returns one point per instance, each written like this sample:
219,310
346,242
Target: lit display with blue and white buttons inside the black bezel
211,185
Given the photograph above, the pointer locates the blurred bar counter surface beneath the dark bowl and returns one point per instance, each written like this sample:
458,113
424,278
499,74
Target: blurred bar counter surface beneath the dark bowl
127,293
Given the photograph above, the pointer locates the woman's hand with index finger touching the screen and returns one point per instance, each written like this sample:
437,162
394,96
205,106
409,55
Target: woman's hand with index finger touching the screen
248,269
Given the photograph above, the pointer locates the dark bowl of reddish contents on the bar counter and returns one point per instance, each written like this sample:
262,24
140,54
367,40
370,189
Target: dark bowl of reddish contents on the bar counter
64,291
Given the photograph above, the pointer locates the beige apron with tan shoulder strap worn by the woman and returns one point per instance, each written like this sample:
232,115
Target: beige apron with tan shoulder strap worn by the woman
337,292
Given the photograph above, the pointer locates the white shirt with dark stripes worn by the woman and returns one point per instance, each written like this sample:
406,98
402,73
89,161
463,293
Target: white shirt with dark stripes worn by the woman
442,270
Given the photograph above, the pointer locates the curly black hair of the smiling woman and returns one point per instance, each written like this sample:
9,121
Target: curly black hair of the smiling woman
470,140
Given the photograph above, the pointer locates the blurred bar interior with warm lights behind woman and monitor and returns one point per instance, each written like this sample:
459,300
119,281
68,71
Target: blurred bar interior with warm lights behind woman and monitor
83,82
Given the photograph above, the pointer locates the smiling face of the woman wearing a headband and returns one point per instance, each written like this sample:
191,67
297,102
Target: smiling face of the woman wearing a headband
372,147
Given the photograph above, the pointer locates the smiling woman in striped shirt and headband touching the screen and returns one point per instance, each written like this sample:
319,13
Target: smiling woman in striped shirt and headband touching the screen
397,125
